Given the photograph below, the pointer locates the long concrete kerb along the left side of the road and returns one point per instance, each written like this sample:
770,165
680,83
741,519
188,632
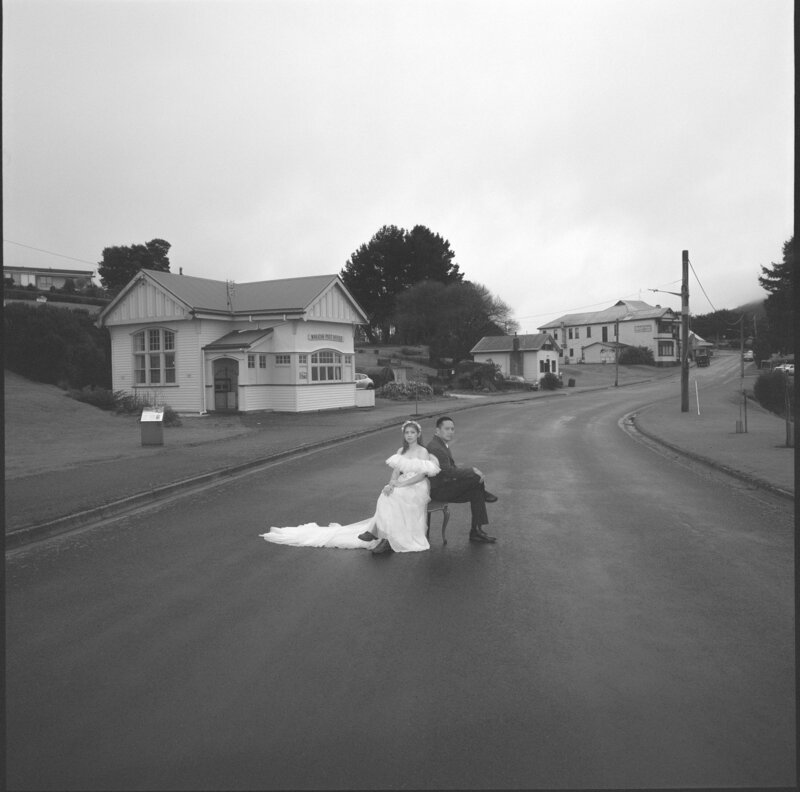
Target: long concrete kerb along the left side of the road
33,533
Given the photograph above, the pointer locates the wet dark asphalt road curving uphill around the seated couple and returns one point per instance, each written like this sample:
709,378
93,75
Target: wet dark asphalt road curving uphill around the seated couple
632,627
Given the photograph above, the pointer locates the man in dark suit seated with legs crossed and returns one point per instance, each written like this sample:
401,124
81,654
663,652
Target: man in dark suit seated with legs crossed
457,484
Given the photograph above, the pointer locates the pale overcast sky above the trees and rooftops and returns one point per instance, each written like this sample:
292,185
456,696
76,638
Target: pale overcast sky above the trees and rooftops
569,150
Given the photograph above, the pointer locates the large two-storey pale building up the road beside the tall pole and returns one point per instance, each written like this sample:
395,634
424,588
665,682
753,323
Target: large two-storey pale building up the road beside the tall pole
628,323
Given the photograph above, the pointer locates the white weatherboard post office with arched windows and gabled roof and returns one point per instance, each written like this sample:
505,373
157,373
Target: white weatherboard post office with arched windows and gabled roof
203,345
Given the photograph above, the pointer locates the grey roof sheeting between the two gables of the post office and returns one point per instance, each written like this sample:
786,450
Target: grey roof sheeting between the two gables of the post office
288,294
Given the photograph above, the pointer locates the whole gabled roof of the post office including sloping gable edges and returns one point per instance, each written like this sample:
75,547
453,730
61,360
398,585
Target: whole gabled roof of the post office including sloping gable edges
287,295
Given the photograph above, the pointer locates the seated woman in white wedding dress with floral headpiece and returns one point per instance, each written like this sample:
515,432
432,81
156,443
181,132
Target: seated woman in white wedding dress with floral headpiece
400,519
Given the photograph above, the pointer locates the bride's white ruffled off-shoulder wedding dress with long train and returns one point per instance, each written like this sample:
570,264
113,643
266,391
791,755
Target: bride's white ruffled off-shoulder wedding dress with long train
400,517
